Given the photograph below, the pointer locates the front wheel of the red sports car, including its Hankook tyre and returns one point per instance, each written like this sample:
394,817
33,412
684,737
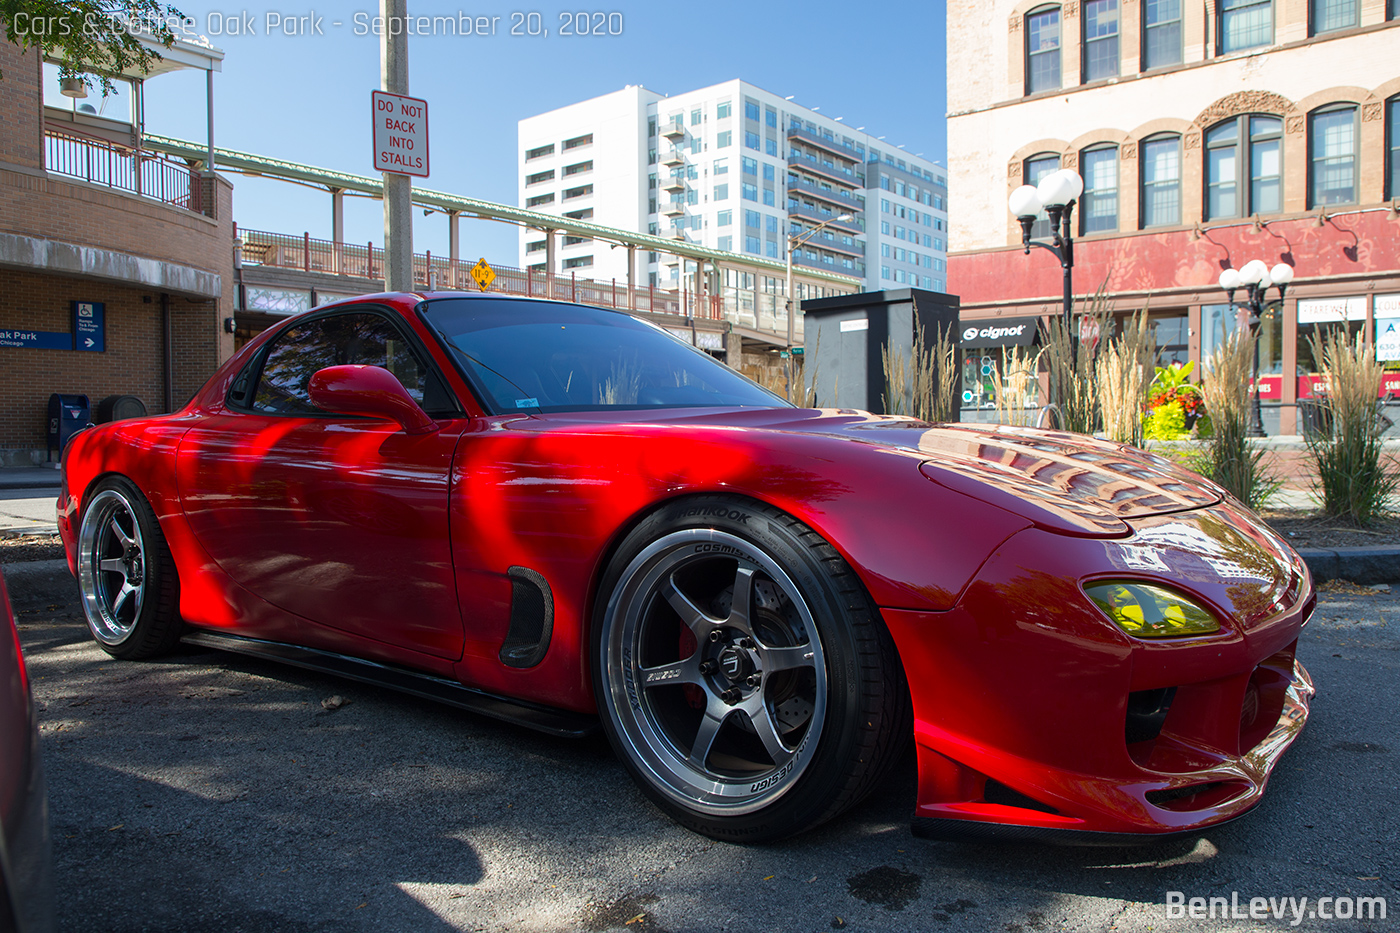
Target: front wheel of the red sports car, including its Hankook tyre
743,675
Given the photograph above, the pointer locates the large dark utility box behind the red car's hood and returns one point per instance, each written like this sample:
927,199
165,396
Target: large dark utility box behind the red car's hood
846,340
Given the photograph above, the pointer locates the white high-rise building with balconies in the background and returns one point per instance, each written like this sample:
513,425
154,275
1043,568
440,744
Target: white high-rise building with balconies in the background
731,167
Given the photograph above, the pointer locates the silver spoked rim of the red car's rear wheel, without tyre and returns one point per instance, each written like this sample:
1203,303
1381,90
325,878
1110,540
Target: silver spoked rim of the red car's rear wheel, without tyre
107,595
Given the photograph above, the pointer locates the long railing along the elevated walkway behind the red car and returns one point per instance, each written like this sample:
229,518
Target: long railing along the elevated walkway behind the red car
745,307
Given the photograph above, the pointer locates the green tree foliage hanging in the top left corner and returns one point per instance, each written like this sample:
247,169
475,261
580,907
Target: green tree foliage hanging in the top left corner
93,39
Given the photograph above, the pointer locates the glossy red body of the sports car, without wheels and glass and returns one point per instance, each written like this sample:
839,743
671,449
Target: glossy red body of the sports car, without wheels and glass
975,544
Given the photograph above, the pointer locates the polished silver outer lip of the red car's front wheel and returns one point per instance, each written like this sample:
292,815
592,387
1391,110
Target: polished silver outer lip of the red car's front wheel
636,724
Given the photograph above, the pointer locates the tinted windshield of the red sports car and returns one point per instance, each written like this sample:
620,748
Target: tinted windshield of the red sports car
527,357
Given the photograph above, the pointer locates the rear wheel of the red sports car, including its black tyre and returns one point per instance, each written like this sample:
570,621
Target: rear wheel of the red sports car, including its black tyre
127,576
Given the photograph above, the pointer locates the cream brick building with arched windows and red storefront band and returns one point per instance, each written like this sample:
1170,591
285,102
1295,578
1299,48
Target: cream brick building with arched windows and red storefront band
1207,135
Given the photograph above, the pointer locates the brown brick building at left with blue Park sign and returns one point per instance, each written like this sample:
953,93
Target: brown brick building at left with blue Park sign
87,218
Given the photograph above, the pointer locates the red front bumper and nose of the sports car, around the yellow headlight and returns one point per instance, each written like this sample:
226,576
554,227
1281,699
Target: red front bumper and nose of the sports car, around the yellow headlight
1038,718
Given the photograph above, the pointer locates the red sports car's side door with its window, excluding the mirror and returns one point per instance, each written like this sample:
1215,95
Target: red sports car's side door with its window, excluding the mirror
341,520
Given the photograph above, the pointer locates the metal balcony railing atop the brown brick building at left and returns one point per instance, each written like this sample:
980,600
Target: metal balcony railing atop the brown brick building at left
139,173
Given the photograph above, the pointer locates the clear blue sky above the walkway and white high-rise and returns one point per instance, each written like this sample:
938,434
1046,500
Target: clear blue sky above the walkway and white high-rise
307,99
